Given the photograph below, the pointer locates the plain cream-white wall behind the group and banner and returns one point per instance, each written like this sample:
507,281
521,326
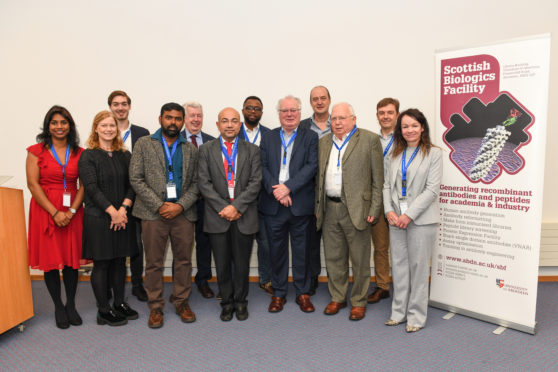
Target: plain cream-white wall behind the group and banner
75,52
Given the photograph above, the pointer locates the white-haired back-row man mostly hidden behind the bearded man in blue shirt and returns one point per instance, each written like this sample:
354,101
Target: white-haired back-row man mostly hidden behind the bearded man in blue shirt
193,123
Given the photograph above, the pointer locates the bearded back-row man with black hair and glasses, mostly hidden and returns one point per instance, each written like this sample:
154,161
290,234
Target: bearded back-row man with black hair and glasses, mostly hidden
252,131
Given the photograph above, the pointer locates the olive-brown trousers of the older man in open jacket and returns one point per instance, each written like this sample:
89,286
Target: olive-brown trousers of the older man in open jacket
341,242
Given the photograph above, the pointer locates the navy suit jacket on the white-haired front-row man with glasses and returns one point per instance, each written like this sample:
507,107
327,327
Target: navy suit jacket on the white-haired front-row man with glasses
302,169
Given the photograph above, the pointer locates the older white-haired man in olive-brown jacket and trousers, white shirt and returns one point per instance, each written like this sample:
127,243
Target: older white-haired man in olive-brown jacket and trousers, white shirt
348,201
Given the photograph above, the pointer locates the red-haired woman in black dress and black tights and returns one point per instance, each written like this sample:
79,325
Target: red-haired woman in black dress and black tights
107,237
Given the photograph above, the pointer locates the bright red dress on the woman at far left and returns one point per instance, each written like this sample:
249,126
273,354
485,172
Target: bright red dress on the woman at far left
52,247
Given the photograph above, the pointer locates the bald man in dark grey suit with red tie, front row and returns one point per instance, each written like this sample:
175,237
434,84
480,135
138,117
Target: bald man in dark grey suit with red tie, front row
230,178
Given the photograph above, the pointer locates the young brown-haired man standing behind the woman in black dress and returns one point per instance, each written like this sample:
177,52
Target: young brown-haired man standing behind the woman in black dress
120,104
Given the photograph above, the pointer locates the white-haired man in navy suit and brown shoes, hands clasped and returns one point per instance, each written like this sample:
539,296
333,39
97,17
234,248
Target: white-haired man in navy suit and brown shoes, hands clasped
289,165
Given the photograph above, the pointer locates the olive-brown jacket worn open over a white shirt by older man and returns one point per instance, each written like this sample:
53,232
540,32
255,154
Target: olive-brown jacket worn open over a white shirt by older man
363,177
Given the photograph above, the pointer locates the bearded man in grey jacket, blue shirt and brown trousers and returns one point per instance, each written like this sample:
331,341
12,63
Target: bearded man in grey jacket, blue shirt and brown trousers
164,175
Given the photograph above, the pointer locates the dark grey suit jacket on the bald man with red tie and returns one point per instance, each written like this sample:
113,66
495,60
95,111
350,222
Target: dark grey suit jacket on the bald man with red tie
214,189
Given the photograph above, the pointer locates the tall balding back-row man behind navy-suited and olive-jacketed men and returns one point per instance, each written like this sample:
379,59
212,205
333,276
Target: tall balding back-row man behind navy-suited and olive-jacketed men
320,123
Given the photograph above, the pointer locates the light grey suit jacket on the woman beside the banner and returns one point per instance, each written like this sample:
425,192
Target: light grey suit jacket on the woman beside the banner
424,176
